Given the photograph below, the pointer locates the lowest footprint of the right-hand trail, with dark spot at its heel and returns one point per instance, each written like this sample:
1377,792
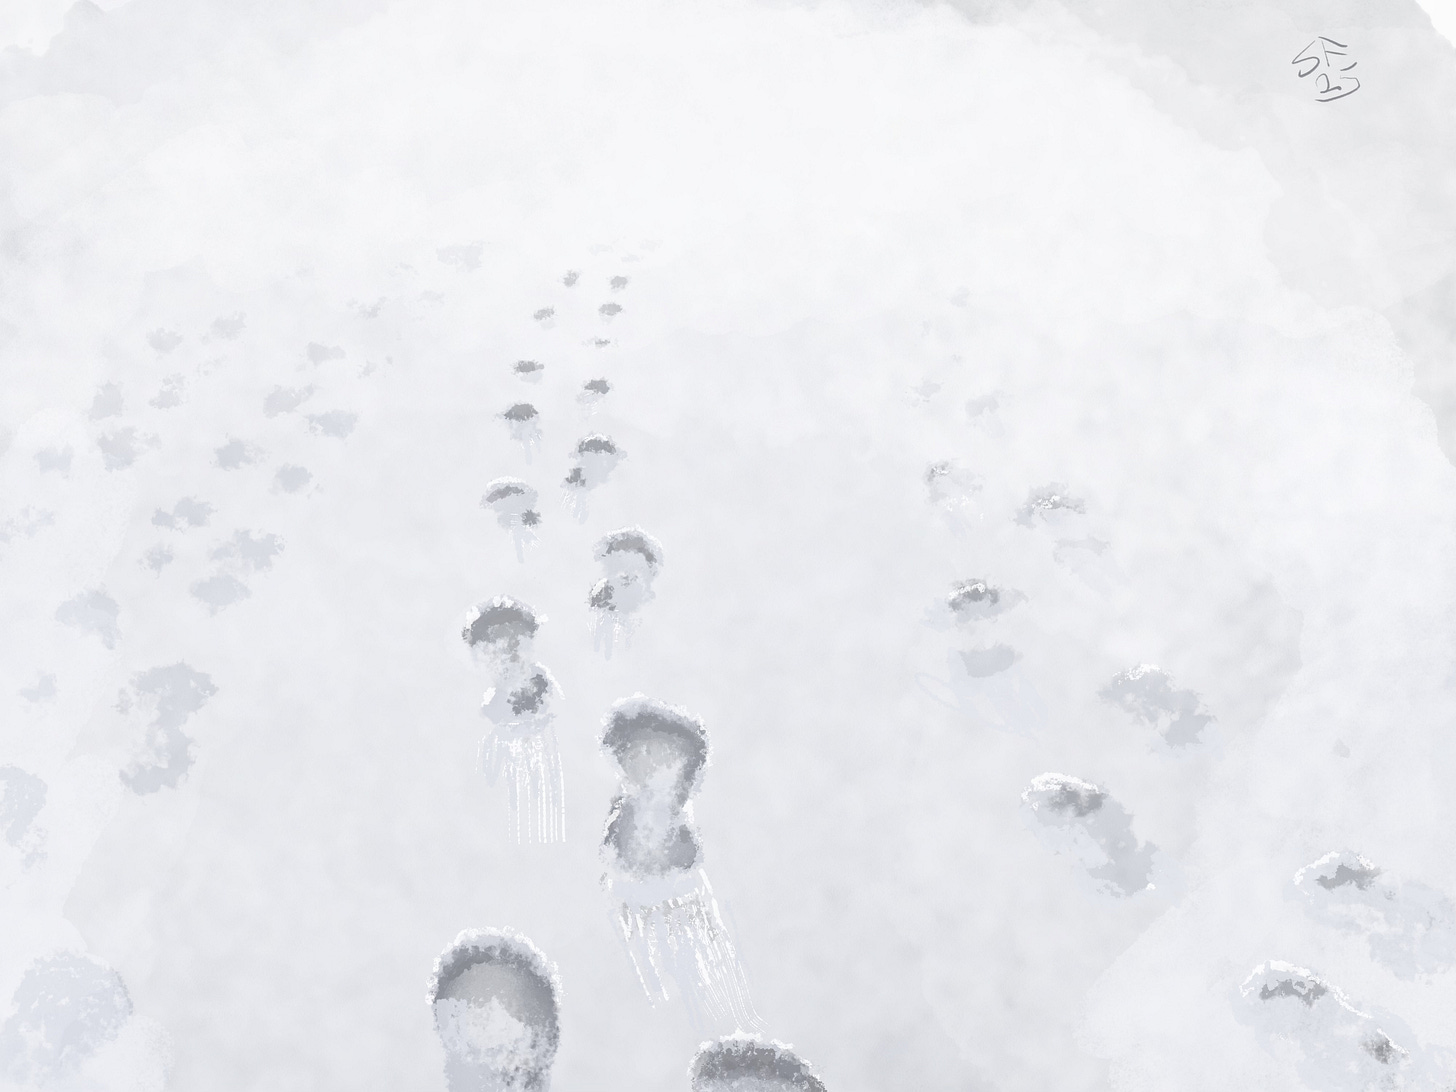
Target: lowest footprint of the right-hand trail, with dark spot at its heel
1340,1046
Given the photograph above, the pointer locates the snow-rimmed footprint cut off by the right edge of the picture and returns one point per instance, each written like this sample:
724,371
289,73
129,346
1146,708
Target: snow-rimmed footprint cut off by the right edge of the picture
1412,928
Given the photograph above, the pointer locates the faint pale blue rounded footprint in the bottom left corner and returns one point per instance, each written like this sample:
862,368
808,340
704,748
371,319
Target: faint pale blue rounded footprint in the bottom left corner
66,1008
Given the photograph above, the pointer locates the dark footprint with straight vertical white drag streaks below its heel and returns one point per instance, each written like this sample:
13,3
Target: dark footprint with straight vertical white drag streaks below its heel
522,746
